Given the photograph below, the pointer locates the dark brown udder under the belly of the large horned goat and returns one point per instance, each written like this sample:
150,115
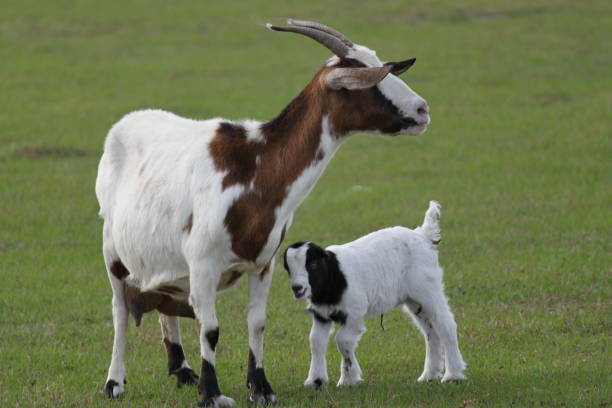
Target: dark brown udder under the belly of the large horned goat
139,303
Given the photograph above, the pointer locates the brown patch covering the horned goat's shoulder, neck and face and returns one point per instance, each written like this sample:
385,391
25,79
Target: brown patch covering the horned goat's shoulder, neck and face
291,143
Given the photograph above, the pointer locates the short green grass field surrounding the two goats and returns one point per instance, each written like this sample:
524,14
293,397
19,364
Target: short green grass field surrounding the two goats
518,154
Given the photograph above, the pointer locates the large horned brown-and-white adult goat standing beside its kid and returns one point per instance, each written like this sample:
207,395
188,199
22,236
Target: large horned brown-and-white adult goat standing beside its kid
190,206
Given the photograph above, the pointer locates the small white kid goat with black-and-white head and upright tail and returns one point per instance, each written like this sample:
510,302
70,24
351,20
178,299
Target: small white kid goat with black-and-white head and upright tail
372,275
